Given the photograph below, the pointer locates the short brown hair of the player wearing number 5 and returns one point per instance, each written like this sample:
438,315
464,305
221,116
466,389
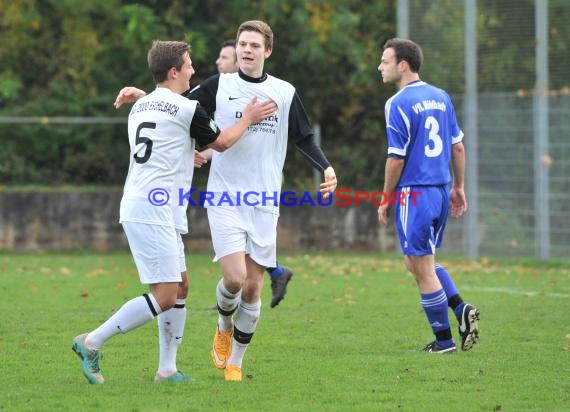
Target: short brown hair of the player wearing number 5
164,55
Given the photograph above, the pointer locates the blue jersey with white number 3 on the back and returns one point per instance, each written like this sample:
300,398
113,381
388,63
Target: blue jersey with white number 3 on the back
421,127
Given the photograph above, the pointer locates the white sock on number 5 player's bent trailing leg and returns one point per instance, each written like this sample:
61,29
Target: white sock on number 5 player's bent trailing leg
131,315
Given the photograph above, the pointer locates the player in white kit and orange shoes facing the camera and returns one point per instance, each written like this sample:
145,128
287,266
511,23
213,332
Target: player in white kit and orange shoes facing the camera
244,236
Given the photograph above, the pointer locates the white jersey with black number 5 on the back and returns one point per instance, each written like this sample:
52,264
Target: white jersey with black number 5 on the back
163,130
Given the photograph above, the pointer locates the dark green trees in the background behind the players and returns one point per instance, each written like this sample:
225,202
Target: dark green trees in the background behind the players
70,57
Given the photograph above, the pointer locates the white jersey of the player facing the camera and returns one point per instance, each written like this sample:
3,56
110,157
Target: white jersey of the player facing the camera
255,162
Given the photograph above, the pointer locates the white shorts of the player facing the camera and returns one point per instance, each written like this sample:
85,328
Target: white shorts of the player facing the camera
244,229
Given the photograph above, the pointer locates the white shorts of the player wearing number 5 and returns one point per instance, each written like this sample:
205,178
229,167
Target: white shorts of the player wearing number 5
156,251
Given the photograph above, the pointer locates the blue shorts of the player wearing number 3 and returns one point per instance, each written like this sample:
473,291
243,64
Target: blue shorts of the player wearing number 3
420,218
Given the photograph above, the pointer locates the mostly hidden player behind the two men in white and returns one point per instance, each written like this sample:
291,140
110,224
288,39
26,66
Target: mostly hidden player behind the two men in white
280,275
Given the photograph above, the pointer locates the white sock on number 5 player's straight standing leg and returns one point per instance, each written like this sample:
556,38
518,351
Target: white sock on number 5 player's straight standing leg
170,331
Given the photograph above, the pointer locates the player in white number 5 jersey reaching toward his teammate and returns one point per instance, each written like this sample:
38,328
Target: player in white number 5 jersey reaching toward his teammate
163,130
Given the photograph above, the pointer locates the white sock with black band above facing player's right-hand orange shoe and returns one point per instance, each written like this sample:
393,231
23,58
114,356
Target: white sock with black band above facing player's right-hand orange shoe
247,317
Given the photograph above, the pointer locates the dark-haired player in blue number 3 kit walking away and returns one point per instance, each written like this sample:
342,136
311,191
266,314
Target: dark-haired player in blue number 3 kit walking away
424,139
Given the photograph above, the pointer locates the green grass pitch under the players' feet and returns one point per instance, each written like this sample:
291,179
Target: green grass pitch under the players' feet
345,338
